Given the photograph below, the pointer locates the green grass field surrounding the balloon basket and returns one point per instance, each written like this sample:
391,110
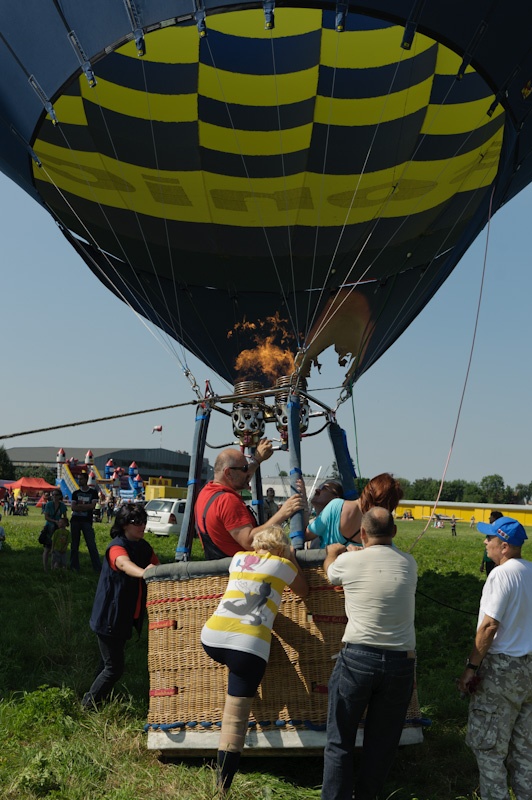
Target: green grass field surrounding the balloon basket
49,748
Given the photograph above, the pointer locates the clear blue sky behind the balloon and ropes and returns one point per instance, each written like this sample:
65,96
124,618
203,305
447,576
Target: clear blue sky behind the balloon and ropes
72,351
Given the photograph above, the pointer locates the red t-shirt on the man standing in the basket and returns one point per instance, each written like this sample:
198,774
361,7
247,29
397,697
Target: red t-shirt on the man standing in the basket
225,514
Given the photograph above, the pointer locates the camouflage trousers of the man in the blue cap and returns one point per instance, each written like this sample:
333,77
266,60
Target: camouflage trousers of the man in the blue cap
500,727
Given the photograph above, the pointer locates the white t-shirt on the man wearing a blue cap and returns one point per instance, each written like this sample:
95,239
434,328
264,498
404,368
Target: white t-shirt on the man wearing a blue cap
507,597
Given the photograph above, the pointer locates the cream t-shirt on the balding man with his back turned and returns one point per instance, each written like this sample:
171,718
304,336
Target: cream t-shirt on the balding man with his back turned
379,583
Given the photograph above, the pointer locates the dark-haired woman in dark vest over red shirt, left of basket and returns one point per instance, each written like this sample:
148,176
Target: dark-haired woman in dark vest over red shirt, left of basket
120,600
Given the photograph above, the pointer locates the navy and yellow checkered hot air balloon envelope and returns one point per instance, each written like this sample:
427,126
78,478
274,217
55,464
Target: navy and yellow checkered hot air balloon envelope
298,187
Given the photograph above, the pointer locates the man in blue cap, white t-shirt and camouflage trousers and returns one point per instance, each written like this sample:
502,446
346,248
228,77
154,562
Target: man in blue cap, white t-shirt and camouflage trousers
498,673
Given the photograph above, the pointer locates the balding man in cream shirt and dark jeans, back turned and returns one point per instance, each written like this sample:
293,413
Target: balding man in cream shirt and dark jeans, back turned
375,668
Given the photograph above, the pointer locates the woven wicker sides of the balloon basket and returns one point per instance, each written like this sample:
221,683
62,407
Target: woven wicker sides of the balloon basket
187,687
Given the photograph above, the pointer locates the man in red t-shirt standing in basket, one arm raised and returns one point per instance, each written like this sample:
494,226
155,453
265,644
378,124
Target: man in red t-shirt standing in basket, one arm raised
224,522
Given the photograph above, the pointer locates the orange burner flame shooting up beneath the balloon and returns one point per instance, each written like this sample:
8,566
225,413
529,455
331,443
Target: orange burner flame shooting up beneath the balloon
271,356
